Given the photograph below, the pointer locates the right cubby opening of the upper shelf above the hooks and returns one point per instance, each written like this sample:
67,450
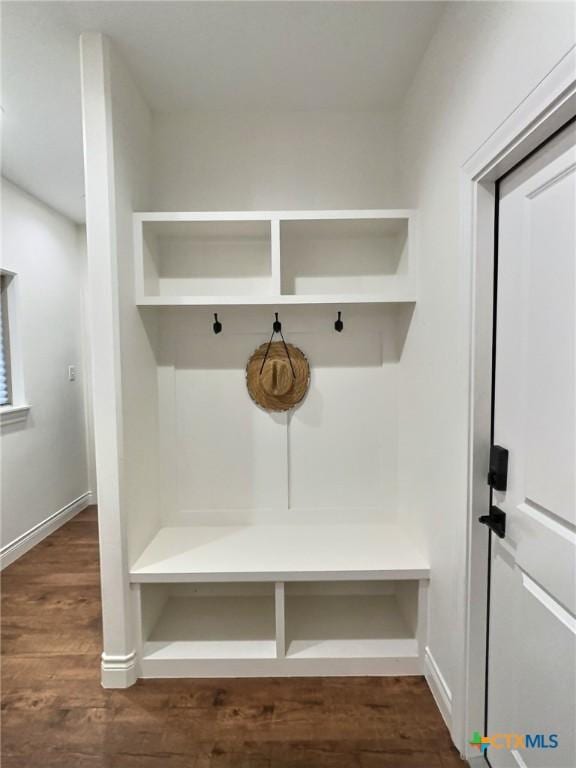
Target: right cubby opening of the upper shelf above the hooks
343,256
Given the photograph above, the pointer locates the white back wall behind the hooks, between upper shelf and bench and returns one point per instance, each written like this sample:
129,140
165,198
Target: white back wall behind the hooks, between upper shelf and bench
331,460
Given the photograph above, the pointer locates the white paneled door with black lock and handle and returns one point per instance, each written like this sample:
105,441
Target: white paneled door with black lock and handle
531,693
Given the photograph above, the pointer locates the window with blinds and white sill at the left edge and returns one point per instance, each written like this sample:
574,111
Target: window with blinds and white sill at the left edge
13,406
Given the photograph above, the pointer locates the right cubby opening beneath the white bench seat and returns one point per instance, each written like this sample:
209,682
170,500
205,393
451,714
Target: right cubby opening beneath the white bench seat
356,619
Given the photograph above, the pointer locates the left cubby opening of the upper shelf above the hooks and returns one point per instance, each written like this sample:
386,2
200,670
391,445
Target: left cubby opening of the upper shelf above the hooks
206,258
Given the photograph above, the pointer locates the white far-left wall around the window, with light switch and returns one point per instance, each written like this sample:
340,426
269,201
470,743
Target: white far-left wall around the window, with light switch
45,464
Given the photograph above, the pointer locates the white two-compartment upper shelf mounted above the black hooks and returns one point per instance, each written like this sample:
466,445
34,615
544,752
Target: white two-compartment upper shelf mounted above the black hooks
275,258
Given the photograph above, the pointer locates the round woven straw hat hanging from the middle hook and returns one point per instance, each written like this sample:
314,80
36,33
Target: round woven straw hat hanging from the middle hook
277,381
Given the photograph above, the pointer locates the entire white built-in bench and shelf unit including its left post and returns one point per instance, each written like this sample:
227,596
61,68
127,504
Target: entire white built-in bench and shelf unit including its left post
236,541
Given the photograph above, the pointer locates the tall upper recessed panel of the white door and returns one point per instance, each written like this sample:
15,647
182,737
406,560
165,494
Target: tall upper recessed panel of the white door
549,355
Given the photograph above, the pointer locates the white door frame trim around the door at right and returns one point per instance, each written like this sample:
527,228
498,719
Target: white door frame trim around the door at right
543,112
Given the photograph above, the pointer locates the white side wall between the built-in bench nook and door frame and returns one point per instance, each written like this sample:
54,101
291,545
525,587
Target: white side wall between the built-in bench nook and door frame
484,59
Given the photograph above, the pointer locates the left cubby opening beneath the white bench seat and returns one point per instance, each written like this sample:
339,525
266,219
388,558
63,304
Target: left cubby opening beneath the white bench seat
208,621
